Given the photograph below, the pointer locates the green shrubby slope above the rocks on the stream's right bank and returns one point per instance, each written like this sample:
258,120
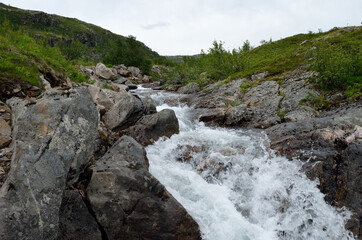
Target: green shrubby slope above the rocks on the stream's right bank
335,55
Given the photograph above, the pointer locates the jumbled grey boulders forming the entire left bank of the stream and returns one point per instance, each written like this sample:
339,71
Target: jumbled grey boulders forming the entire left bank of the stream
68,171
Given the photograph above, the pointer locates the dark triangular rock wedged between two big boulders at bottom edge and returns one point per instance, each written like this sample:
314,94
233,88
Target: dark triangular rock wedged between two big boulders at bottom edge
75,220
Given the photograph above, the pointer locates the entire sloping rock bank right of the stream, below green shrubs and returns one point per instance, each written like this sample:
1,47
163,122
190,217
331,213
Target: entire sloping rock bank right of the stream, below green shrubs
328,141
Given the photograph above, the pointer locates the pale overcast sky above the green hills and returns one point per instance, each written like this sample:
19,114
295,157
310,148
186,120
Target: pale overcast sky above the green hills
173,27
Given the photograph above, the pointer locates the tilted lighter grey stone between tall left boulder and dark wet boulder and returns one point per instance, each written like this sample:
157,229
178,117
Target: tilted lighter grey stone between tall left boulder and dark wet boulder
120,112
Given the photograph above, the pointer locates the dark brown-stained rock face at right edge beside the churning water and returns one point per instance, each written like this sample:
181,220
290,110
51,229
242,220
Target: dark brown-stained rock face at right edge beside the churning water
331,147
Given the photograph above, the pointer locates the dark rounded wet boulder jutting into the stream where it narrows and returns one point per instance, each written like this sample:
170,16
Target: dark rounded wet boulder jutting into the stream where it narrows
151,127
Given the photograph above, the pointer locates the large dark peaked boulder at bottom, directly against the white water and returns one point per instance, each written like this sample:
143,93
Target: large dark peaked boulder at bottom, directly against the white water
129,203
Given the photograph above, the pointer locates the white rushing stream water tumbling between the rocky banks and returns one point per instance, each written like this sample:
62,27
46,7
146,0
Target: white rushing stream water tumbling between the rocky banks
235,187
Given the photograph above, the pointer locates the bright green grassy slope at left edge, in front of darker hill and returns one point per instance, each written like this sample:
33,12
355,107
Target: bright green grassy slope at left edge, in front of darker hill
23,57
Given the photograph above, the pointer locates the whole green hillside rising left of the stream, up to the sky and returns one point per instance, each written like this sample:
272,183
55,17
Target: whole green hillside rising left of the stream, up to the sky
34,42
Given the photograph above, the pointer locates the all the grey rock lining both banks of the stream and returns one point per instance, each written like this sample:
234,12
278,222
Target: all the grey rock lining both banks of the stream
73,164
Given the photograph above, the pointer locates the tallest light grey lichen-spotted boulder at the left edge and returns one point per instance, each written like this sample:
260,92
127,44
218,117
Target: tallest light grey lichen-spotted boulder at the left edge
54,138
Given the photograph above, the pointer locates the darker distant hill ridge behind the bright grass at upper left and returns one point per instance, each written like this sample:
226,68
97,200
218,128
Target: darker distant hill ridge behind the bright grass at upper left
57,29
